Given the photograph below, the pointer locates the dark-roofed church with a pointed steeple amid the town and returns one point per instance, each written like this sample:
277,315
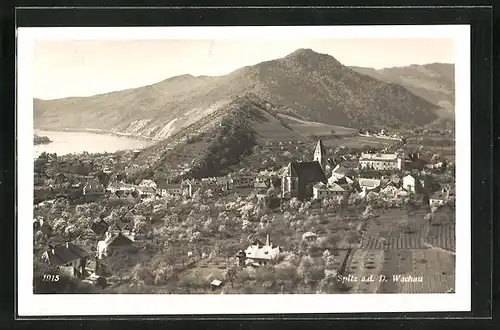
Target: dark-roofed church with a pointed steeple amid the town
299,178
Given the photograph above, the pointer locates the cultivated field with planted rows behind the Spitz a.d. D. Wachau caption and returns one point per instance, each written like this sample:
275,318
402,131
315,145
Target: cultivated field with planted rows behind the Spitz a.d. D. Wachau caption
394,253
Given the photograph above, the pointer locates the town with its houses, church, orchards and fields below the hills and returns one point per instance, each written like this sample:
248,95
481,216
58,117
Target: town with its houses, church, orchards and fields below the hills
294,228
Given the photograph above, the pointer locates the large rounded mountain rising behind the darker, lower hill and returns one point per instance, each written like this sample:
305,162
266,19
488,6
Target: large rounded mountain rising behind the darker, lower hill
305,84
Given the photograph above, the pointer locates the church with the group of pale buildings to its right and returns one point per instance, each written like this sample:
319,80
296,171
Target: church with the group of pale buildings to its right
323,178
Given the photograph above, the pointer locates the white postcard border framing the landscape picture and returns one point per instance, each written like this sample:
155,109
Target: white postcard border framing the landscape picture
137,304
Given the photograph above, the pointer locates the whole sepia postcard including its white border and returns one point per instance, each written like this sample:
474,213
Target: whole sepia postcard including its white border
231,162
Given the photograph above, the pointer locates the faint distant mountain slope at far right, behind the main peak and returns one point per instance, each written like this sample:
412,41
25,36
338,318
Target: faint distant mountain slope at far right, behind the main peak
434,82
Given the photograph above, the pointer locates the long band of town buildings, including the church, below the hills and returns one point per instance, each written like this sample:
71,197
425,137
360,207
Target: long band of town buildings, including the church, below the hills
320,178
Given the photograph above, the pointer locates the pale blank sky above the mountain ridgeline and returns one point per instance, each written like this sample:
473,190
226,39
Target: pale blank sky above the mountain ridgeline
64,68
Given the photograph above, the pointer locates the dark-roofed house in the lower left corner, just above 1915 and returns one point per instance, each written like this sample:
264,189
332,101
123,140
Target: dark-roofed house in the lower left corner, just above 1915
69,257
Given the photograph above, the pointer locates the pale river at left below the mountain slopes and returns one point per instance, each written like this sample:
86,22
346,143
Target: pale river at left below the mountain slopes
77,142
